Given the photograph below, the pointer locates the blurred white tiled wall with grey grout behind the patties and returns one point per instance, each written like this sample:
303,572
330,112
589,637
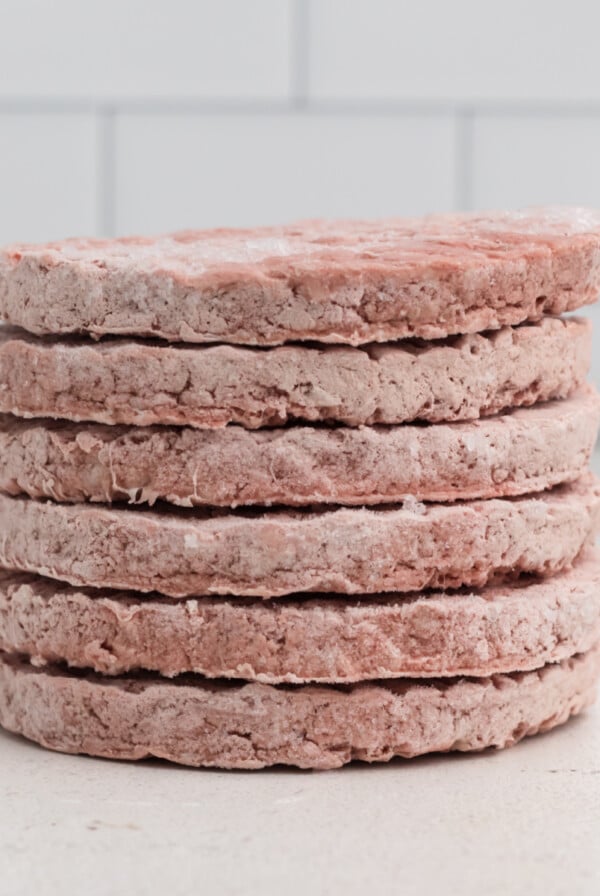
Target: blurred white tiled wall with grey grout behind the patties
147,115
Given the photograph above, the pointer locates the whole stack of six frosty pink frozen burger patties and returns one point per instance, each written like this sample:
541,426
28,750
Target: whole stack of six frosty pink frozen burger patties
299,495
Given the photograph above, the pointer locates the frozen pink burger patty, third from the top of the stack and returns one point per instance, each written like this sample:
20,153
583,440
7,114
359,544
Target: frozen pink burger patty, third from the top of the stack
521,451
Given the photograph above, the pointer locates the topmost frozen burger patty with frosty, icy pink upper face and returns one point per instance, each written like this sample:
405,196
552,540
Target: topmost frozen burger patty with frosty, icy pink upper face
342,281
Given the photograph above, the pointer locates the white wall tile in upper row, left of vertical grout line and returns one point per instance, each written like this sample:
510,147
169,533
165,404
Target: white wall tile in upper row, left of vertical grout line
118,49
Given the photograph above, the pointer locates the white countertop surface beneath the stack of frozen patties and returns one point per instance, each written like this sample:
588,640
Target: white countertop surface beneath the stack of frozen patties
522,821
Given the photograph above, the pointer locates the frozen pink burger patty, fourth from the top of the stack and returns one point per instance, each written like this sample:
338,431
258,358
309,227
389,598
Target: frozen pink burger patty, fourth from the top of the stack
347,551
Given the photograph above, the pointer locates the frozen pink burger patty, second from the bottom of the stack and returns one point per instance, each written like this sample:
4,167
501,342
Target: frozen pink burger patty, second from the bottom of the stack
512,627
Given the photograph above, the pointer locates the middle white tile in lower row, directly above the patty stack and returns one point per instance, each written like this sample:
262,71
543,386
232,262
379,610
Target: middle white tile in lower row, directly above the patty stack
201,170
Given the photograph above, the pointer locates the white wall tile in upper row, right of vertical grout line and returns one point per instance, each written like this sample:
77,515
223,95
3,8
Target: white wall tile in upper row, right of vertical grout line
462,50
